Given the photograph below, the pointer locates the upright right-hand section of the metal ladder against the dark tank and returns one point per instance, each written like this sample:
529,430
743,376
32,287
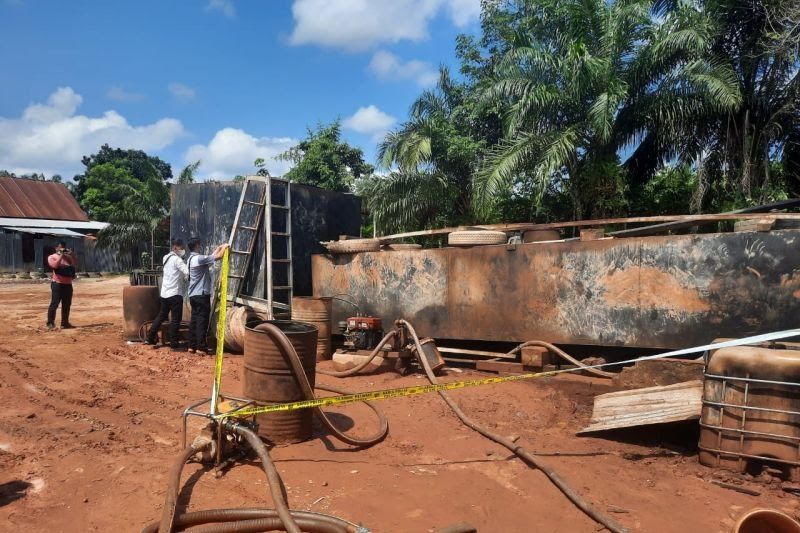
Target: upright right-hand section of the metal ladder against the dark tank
278,279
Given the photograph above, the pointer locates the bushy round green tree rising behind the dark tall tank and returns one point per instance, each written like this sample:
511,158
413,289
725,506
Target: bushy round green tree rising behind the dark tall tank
322,159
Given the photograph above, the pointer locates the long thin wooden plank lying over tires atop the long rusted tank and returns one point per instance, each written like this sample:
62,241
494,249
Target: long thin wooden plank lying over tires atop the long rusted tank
692,220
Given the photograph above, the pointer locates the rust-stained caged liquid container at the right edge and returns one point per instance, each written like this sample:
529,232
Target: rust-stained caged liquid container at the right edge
751,411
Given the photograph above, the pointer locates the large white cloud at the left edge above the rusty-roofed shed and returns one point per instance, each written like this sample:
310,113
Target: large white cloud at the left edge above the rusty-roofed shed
51,138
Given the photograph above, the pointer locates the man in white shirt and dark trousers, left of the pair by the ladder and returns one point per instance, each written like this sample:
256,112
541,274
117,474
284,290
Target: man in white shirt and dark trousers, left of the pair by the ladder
173,278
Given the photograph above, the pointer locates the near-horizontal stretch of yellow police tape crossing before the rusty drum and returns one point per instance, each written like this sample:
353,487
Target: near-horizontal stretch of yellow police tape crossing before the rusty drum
377,395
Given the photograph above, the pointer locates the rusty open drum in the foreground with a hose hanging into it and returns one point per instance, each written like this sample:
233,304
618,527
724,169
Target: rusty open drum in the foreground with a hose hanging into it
268,378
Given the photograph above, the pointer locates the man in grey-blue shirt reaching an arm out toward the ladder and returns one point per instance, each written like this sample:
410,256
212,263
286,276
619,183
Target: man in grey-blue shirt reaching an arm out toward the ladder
200,292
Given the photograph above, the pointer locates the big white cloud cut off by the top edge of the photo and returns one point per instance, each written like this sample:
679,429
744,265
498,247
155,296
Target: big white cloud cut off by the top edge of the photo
357,25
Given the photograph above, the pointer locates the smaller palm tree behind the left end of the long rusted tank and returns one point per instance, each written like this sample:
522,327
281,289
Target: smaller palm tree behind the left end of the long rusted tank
432,158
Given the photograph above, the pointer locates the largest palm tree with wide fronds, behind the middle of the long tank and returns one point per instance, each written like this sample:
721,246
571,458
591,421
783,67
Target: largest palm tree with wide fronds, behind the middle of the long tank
584,81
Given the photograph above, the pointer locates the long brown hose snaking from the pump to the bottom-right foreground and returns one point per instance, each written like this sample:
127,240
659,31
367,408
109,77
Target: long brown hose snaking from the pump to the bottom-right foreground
531,460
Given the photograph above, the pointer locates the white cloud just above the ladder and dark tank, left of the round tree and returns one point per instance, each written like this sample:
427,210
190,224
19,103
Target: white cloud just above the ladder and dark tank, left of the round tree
232,152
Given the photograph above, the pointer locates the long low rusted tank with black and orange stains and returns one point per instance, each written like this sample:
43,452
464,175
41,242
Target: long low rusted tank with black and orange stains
654,292
